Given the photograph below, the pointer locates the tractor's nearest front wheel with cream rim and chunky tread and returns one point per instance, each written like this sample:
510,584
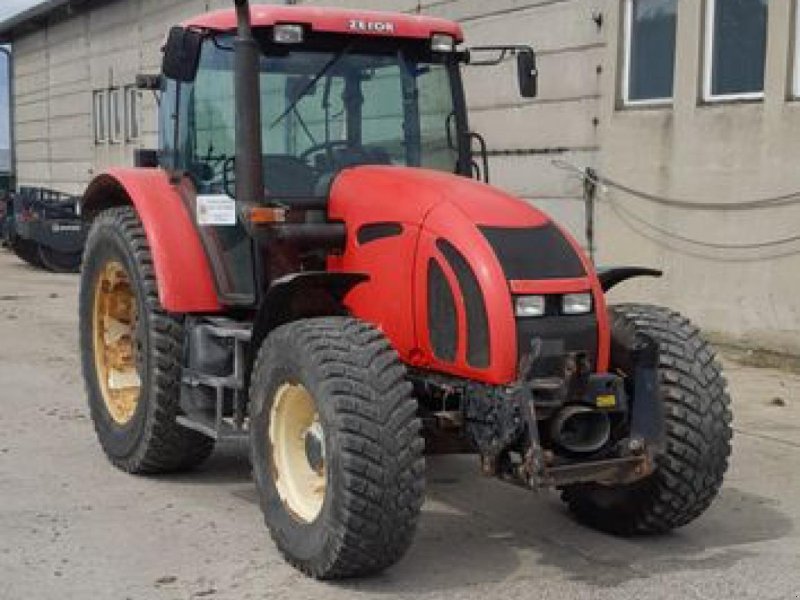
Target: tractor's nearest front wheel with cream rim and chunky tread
336,446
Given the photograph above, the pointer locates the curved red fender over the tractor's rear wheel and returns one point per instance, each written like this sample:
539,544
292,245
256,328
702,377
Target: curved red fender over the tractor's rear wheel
184,276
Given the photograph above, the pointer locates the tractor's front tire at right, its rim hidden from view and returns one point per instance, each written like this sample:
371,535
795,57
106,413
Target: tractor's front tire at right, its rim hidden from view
690,471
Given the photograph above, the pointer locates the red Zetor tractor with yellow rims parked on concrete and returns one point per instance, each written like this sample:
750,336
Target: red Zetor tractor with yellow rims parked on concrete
310,261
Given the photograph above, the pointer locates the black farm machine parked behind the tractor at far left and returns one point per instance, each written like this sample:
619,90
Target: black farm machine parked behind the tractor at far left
42,227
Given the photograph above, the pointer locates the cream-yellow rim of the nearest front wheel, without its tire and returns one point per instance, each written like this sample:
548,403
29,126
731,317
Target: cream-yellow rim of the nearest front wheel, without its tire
298,452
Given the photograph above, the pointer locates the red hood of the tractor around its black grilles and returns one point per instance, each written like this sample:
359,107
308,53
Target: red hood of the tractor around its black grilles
431,205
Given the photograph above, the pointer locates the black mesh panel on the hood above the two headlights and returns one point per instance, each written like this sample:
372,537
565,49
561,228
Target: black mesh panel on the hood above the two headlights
531,253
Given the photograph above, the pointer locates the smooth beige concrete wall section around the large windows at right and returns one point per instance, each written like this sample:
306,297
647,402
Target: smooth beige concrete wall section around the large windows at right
728,152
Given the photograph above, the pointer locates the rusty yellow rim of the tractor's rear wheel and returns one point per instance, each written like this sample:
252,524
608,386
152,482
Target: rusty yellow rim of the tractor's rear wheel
114,324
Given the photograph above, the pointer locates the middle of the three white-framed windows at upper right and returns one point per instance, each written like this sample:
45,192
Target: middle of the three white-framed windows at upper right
736,49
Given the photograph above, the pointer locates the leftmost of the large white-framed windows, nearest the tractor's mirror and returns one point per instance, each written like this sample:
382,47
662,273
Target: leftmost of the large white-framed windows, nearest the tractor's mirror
649,51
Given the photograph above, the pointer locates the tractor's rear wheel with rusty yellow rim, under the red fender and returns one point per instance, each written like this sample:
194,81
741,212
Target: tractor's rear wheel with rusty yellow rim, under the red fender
131,353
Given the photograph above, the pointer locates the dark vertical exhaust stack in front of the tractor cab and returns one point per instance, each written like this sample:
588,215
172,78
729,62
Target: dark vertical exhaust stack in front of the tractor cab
249,161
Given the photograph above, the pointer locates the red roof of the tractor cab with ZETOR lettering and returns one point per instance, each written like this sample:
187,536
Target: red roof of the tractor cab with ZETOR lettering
333,20
